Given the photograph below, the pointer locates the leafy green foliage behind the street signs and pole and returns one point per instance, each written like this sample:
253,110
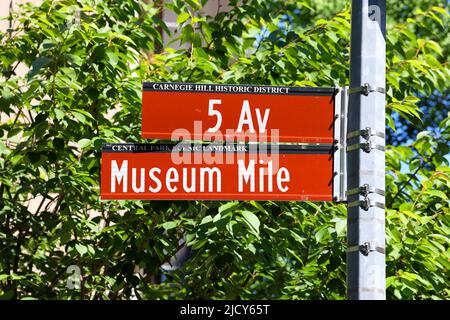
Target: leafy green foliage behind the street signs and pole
88,59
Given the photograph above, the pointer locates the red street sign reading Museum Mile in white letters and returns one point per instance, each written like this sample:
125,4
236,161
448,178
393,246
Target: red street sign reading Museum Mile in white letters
216,171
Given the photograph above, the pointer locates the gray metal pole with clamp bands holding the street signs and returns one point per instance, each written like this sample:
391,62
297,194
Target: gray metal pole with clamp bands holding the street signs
366,270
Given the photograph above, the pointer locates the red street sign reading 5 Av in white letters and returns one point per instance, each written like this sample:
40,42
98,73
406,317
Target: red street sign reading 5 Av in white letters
213,112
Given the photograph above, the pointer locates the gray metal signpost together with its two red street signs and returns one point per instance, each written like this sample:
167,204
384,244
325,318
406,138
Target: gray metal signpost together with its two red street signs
335,153
